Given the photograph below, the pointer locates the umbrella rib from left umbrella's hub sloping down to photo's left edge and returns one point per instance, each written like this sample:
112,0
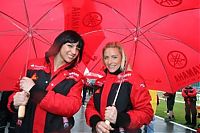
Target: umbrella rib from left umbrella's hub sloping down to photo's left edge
19,44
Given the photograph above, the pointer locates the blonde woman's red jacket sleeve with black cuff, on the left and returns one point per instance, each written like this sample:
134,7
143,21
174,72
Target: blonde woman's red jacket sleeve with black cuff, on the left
91,114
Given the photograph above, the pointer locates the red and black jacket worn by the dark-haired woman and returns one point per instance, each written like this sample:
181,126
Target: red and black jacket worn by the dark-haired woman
55,95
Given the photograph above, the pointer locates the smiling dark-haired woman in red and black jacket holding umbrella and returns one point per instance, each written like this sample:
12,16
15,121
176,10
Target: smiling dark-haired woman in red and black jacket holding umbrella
52,87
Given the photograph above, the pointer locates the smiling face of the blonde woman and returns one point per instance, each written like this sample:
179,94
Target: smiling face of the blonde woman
112,59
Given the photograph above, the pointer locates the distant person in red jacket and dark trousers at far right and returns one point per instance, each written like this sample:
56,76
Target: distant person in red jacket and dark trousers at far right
189,93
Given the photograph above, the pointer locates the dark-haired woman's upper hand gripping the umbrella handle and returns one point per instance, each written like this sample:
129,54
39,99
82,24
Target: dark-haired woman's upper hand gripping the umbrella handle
26,84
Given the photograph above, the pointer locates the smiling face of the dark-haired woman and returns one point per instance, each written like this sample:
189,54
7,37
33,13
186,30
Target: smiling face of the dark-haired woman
69,51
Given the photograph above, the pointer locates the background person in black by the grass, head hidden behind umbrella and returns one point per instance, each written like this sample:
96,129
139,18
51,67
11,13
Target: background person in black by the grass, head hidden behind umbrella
170,105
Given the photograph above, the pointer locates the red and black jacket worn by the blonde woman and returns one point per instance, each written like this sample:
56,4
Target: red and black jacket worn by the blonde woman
133,102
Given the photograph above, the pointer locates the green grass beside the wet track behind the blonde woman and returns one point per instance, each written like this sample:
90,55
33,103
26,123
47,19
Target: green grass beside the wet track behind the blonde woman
179,109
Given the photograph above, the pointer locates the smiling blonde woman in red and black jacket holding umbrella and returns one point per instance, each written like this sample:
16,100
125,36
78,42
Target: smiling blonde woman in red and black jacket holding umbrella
132,108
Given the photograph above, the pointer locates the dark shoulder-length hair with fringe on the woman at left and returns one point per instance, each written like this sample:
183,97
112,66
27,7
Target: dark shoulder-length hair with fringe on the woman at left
68,36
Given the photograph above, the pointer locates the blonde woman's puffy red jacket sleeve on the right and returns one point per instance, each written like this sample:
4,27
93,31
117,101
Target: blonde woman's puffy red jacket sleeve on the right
142,112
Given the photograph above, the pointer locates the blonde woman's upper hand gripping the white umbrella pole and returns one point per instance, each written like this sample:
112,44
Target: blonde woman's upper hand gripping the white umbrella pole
111,114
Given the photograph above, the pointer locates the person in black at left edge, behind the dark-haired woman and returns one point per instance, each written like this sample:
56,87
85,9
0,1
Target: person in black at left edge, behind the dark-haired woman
5,115
